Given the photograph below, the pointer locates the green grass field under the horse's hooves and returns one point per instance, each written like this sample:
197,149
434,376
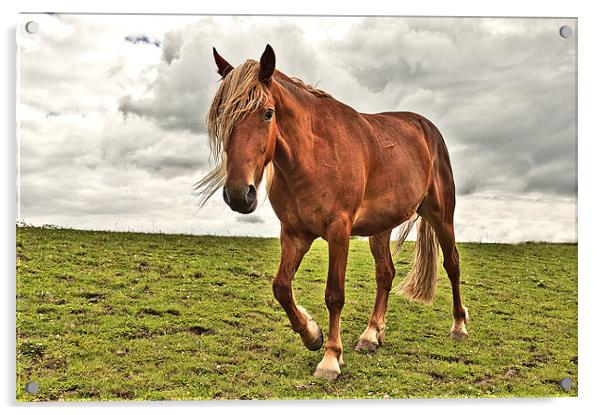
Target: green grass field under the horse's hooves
113,316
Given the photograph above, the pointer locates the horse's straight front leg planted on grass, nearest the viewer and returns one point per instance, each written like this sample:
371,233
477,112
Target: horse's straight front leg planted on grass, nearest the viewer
338,247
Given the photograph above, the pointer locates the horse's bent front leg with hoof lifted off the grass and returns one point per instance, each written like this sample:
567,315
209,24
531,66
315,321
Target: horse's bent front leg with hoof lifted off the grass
292,249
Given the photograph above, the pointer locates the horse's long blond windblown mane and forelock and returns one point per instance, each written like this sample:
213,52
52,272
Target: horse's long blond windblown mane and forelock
239,93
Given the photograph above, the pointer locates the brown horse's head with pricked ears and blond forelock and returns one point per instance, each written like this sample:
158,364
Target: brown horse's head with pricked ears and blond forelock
242,127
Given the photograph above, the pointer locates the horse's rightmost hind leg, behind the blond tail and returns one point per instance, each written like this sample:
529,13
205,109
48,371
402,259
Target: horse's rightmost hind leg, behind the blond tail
441,219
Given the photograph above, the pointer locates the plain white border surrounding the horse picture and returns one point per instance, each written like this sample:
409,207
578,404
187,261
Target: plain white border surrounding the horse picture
589,185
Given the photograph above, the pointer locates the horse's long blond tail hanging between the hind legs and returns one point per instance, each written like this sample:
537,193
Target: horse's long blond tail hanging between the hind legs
421,282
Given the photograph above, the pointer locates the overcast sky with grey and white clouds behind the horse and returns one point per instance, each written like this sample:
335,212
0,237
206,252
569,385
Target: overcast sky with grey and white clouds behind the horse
111,113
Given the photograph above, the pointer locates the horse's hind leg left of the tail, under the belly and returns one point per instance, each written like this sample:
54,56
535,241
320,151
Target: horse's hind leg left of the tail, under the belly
373,336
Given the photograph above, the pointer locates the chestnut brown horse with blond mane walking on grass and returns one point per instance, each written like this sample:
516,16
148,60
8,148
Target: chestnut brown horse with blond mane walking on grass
332,172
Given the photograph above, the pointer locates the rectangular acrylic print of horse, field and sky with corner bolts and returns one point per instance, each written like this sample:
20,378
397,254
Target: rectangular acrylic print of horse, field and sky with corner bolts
154,263
